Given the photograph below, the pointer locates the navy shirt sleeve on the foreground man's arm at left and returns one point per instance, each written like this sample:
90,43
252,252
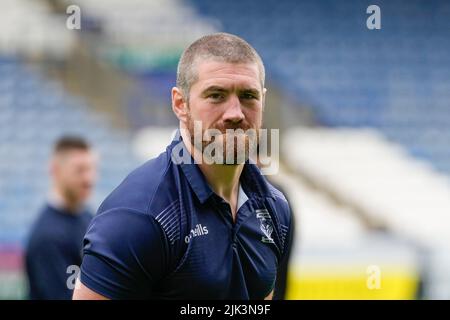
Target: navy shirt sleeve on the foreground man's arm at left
125,254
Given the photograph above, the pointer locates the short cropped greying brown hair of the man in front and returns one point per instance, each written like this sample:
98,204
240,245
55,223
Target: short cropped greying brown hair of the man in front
219,46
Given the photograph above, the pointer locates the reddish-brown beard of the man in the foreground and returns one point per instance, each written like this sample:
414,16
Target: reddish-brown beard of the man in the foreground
235,147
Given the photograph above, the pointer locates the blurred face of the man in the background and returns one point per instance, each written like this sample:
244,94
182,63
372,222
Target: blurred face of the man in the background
74,174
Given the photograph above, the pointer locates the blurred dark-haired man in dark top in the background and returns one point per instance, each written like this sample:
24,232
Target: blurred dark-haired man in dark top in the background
55,240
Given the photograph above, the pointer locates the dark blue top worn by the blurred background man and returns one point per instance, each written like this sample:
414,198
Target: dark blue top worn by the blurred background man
55,243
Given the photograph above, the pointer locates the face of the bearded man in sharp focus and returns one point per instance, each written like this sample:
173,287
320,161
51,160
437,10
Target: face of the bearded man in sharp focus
226,96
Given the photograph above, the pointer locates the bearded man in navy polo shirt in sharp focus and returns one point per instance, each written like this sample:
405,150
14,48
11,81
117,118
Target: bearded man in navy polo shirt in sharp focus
209,226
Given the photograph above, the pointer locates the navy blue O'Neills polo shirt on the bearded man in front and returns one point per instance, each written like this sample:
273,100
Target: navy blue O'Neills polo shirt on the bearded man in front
164,234
